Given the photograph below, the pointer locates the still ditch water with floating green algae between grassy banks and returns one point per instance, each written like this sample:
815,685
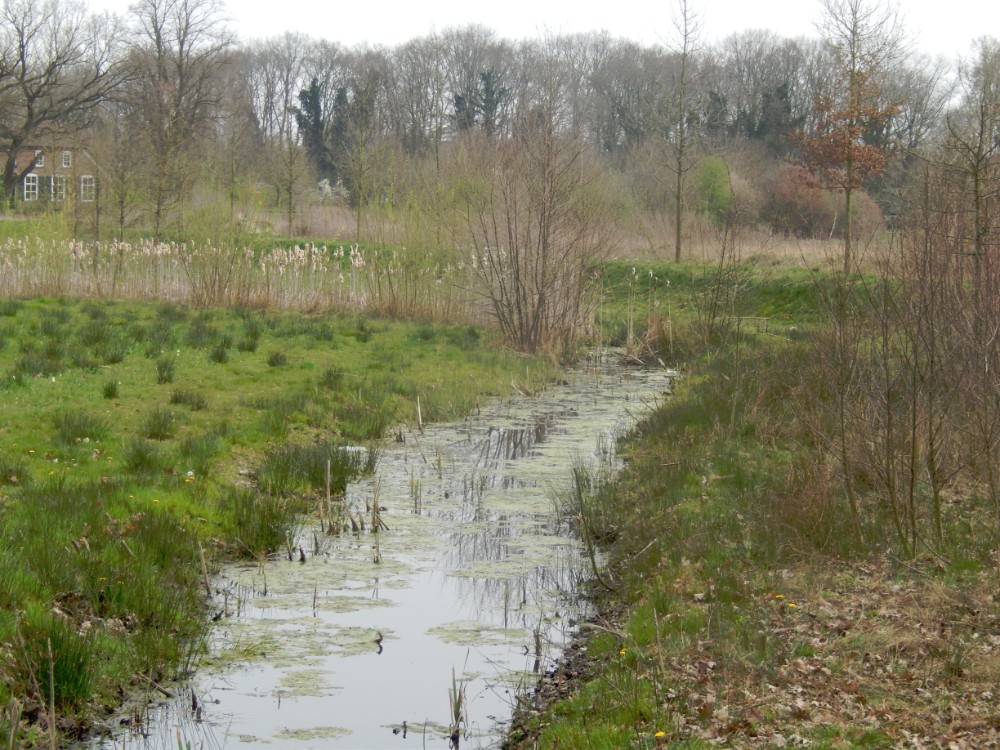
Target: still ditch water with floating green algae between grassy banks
475,586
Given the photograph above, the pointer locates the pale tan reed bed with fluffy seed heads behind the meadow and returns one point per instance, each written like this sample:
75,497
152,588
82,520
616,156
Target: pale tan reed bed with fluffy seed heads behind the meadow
307,277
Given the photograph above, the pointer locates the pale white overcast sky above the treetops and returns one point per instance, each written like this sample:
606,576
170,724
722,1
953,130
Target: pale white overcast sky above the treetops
940,28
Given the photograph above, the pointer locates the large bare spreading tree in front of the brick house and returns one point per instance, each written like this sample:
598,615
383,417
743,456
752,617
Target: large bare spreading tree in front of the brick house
57,65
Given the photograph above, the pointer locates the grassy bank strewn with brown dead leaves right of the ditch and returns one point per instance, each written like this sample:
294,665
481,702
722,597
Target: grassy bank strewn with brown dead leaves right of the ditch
749,599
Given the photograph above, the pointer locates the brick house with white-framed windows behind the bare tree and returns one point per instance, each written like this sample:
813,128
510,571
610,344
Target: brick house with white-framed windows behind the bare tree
56,174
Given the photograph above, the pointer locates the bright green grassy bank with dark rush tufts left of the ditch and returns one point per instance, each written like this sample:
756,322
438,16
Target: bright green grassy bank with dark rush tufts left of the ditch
137,438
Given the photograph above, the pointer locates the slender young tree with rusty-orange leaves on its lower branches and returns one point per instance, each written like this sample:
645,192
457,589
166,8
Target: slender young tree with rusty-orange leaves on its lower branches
866,39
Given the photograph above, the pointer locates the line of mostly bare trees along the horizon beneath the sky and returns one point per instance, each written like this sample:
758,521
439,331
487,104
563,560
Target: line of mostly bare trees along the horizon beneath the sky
756,128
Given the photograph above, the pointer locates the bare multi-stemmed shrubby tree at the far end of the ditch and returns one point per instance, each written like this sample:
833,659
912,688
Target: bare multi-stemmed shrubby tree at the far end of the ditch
532,212
